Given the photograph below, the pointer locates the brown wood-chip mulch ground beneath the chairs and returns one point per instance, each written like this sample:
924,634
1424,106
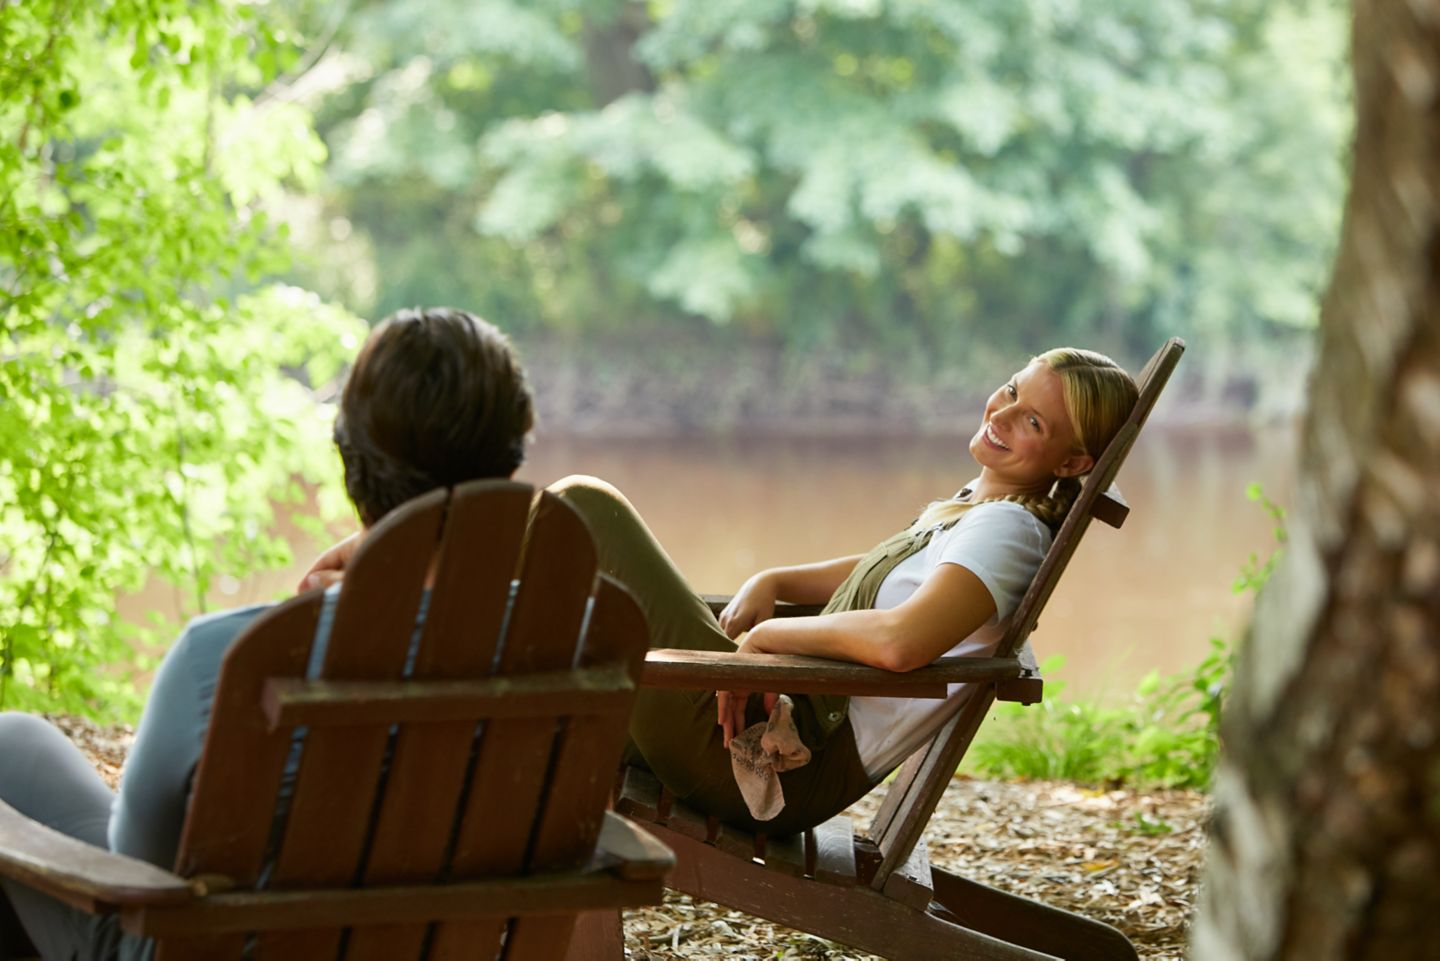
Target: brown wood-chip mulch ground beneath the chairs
1128,858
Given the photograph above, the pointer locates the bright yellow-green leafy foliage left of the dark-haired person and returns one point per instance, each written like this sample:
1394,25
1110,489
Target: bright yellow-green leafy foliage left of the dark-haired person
155,404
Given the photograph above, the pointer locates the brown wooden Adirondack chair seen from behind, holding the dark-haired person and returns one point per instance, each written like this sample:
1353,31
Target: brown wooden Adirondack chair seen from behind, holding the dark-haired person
454,812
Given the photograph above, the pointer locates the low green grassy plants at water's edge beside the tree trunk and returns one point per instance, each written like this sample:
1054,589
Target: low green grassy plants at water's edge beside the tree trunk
1169,736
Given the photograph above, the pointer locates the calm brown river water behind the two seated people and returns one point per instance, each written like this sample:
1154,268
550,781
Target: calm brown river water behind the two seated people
1147,597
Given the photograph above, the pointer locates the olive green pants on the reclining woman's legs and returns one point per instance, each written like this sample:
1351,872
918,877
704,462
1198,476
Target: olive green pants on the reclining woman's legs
676,733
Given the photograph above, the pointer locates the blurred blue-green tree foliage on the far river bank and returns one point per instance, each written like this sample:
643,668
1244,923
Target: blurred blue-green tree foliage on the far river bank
901,178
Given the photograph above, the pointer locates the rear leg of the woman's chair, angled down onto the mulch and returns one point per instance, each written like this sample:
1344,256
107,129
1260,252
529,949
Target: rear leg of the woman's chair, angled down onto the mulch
1027,923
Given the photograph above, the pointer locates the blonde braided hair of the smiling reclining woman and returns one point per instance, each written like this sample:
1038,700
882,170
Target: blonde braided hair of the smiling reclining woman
1099,397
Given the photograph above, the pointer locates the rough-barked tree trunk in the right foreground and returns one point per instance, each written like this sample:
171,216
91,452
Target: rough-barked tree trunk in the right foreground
1327,835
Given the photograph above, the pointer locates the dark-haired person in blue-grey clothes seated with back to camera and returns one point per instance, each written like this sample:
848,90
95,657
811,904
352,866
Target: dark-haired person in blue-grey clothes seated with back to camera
436,398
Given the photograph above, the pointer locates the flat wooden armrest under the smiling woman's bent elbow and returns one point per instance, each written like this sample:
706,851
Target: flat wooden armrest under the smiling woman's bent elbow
798,675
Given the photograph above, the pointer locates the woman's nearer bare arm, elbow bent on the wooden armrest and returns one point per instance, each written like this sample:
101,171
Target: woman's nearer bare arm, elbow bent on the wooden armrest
948,607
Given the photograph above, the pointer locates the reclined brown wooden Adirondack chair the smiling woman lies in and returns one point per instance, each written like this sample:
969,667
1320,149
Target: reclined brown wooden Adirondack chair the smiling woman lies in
881,894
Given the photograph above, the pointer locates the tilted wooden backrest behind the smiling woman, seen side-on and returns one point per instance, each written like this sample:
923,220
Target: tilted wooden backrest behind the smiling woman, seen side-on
924,779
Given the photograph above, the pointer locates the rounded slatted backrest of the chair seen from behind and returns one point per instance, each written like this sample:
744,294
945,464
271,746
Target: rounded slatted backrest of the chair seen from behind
480,744
